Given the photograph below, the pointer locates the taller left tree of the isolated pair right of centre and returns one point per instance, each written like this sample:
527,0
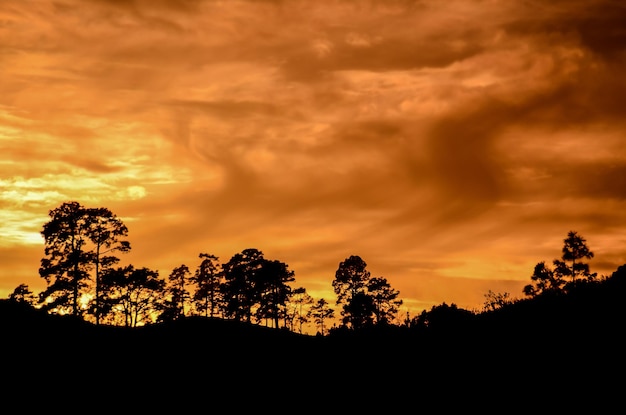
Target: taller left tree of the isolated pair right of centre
350,285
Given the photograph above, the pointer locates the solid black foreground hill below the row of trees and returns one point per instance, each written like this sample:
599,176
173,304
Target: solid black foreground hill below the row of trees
547,343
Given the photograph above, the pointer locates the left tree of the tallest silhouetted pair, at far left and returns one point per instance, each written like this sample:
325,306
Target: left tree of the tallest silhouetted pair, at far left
67,263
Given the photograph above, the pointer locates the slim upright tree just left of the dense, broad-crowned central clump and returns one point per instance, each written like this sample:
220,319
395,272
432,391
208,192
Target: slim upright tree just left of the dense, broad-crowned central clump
207,279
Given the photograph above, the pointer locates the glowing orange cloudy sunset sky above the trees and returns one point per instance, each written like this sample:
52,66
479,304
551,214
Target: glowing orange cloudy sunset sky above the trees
451,145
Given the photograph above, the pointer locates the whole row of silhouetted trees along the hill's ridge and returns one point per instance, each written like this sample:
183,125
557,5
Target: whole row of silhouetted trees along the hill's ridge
83,279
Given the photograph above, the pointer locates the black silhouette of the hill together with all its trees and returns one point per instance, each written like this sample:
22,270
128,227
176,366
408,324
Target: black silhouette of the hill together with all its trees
227,335
